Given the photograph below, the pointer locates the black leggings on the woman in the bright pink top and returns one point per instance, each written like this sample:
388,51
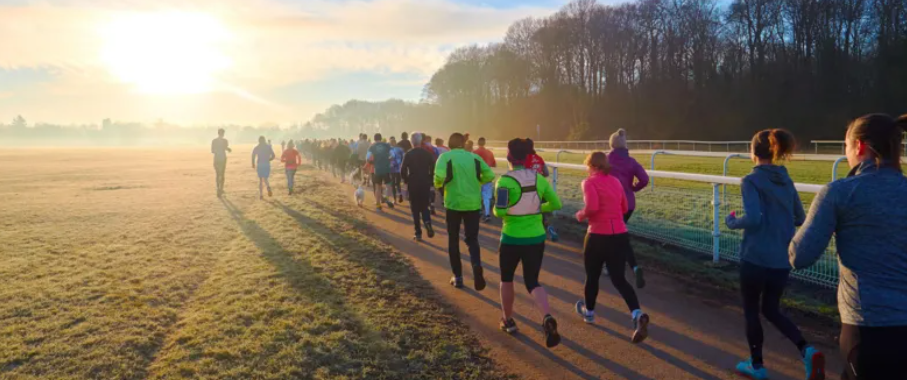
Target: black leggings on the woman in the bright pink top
610,251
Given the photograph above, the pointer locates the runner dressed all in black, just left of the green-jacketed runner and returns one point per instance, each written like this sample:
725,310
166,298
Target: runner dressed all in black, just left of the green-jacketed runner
417,171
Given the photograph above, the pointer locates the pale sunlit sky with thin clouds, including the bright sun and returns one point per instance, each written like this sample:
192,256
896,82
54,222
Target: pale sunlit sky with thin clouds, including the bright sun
206,62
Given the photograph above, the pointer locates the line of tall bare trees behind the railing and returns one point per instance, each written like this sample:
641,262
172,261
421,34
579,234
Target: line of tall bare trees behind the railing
663,69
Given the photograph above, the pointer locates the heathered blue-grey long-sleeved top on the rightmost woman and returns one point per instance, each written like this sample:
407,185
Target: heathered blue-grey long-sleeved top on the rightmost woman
867,213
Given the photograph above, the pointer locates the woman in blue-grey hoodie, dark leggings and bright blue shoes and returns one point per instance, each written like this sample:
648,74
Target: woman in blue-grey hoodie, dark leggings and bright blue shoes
772,211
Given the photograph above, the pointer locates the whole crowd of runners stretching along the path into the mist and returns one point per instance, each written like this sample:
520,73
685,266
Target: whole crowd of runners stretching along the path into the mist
865,212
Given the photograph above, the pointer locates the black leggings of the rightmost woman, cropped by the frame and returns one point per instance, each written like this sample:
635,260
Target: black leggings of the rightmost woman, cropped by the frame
872,353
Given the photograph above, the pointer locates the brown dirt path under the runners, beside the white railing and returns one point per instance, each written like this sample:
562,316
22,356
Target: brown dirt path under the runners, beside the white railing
690,338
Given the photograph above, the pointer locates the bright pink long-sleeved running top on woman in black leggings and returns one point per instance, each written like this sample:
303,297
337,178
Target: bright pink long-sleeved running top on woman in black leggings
606,204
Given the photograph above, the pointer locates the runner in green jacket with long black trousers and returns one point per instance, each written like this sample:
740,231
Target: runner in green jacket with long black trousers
462,175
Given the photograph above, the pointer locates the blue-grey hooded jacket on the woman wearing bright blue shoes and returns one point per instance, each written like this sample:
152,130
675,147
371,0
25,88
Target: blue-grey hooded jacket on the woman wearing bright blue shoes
772,210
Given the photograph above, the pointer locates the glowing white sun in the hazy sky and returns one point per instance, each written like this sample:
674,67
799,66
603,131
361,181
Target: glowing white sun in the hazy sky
166,53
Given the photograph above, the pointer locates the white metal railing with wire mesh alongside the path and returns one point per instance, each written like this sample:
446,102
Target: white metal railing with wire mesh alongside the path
687,210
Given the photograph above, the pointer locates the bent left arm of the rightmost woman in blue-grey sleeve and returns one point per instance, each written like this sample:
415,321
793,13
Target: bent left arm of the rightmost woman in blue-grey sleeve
812,239
